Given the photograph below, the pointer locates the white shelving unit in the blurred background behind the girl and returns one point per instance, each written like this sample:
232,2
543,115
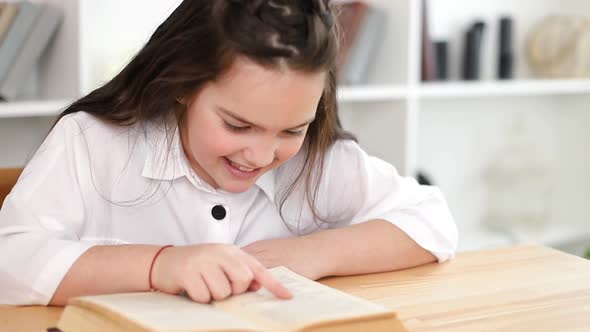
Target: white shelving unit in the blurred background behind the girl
451,130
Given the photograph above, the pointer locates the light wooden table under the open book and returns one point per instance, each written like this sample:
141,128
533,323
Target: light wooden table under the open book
525,288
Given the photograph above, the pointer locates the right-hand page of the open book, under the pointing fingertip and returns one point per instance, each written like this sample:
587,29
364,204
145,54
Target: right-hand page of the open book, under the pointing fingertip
311,302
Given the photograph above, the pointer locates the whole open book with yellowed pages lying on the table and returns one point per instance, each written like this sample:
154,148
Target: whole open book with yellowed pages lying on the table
314,307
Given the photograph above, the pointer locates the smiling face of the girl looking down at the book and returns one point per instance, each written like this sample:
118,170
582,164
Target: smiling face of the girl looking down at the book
250,121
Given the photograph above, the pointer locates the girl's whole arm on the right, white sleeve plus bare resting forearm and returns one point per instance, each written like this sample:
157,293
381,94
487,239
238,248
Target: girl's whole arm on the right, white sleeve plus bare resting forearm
367,218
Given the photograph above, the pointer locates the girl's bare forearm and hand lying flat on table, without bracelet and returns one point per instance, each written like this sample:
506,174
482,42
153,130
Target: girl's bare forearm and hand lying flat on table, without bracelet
374,246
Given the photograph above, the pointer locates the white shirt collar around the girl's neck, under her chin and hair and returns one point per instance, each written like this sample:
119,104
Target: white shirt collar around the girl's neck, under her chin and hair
165,160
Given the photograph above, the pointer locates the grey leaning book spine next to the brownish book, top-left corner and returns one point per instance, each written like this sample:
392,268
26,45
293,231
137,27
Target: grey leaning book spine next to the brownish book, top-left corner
20,28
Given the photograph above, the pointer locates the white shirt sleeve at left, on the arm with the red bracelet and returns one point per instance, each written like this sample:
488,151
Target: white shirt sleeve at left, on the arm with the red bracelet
42,217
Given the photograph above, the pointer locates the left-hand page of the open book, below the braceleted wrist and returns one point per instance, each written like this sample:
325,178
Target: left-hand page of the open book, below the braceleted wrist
163,312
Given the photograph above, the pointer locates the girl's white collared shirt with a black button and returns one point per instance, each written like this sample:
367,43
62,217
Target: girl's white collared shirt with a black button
92,183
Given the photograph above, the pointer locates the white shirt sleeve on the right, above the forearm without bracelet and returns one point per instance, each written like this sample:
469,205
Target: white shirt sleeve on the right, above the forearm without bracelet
357,188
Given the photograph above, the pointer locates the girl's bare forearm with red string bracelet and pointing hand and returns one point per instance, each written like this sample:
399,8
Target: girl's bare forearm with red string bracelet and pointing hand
205,272
